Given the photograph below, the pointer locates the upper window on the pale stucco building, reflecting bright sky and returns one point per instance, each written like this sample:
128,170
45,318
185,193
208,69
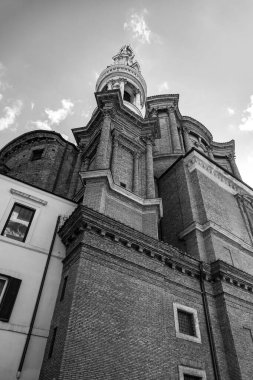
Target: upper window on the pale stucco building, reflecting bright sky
18,223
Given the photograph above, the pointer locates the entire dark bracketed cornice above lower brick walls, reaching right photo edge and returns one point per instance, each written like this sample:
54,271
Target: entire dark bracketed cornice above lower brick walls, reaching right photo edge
85,219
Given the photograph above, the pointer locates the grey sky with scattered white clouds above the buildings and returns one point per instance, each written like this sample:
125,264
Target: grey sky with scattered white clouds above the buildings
52,52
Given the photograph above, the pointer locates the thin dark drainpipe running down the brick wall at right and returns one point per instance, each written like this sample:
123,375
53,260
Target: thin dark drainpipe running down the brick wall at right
208,323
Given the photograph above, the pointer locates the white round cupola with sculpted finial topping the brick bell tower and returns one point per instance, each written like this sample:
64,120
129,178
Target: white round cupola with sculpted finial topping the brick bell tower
124,74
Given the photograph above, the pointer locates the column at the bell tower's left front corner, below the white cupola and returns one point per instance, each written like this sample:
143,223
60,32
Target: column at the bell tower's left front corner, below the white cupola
102,161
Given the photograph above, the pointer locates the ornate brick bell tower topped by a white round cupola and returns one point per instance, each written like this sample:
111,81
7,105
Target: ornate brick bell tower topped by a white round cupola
117,148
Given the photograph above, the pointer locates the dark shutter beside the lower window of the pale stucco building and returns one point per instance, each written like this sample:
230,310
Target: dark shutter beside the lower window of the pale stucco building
9,298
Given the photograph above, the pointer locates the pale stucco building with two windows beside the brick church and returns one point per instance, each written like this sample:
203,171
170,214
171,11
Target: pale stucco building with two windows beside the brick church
28,243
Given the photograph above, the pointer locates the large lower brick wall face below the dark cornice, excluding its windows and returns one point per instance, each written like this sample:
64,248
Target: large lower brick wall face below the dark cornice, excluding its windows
121,323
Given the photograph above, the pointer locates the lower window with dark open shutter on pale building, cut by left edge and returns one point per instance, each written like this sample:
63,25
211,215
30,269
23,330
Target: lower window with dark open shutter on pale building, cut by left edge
9,287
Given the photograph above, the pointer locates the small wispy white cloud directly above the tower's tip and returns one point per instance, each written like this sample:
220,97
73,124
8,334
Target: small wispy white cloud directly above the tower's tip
137,25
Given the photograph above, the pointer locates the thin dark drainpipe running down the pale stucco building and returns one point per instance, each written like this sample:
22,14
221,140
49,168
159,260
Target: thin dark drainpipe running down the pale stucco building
28,337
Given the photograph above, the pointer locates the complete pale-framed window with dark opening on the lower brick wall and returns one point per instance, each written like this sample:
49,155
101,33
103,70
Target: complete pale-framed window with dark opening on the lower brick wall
186,323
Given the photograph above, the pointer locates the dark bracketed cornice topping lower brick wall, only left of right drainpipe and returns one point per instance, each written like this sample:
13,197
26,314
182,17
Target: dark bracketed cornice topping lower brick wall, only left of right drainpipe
84,218
